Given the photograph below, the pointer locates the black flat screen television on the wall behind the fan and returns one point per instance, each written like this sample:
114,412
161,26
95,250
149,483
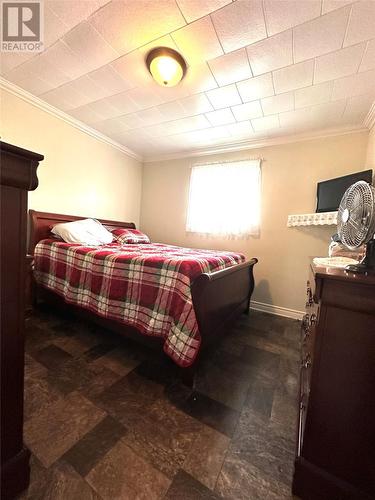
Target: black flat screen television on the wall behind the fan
329,193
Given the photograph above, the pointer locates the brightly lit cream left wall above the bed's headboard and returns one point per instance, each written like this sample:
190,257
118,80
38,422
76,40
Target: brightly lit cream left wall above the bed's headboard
80,174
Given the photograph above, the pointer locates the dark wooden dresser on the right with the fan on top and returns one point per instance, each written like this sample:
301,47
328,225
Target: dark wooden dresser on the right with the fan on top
336,431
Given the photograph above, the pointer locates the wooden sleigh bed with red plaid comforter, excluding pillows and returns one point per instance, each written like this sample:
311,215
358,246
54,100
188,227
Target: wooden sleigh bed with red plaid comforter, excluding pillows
181,299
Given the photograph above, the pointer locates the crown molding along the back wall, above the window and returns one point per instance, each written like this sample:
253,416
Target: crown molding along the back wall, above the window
248,144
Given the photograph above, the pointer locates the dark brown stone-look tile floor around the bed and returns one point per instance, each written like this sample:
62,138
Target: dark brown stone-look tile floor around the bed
107,419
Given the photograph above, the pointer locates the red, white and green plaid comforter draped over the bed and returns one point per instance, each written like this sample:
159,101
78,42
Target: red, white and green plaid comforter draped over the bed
145,286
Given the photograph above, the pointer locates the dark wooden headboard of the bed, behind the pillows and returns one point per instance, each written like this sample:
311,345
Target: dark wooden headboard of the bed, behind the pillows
42,222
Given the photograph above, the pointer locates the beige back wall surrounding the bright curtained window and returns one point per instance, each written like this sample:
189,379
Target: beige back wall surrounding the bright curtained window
289,176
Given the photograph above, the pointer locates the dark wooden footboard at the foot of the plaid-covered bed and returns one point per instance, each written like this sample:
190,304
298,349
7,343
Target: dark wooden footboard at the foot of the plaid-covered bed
220,297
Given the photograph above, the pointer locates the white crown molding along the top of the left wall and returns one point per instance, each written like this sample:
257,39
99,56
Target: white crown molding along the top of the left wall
44,106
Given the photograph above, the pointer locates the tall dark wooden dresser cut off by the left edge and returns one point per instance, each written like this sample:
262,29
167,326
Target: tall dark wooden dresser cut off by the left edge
18,176
